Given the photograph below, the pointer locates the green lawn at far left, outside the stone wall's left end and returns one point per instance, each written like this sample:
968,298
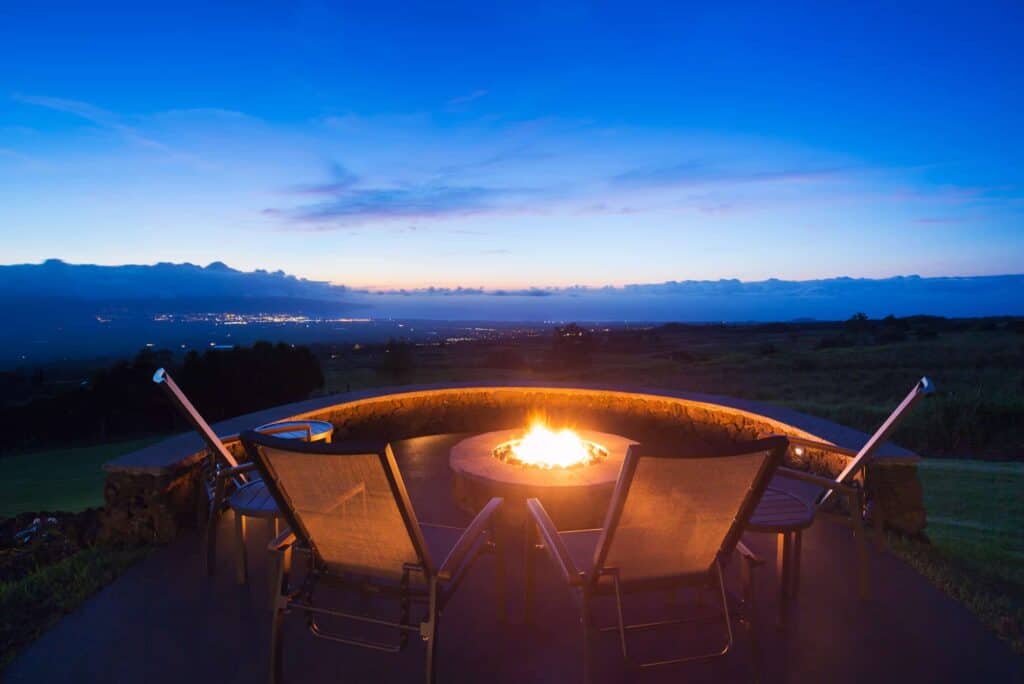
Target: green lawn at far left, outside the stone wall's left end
64,480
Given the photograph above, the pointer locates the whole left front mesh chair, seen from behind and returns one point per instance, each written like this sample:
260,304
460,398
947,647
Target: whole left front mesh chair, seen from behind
350,516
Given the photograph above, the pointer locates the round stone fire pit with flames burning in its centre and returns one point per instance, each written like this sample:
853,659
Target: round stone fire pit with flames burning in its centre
572,472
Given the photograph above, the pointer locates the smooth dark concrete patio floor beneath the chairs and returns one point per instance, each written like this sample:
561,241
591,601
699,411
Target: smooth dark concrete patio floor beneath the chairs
165,621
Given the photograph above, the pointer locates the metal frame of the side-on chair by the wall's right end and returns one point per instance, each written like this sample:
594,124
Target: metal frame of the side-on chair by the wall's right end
789,543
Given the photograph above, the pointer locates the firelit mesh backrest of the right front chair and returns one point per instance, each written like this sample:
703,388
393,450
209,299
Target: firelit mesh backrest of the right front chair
674,517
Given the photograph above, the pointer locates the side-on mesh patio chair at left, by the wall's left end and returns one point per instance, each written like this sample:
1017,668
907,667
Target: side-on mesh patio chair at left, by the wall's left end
226,483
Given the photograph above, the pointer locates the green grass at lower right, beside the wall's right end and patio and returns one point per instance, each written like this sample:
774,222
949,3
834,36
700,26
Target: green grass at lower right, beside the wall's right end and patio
977,551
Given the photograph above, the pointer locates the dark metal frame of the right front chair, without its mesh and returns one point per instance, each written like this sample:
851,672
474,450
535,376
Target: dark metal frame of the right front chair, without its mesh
586,586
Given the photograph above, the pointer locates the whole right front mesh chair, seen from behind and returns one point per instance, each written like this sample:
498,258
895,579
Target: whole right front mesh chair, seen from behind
673,523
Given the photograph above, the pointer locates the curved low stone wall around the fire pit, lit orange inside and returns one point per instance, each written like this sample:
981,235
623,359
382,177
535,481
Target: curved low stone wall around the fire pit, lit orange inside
152,494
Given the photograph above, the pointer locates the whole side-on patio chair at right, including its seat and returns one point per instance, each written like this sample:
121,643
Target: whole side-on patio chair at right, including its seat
795,498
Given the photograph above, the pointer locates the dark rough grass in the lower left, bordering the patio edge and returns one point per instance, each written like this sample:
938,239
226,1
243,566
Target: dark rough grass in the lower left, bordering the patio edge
35,604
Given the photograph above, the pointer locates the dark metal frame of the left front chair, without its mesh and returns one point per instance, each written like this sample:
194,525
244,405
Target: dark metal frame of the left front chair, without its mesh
440,583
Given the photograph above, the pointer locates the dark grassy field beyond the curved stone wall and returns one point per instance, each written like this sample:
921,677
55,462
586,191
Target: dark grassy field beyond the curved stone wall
977,412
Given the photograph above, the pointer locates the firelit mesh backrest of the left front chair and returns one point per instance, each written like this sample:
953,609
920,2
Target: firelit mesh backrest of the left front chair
347,502
